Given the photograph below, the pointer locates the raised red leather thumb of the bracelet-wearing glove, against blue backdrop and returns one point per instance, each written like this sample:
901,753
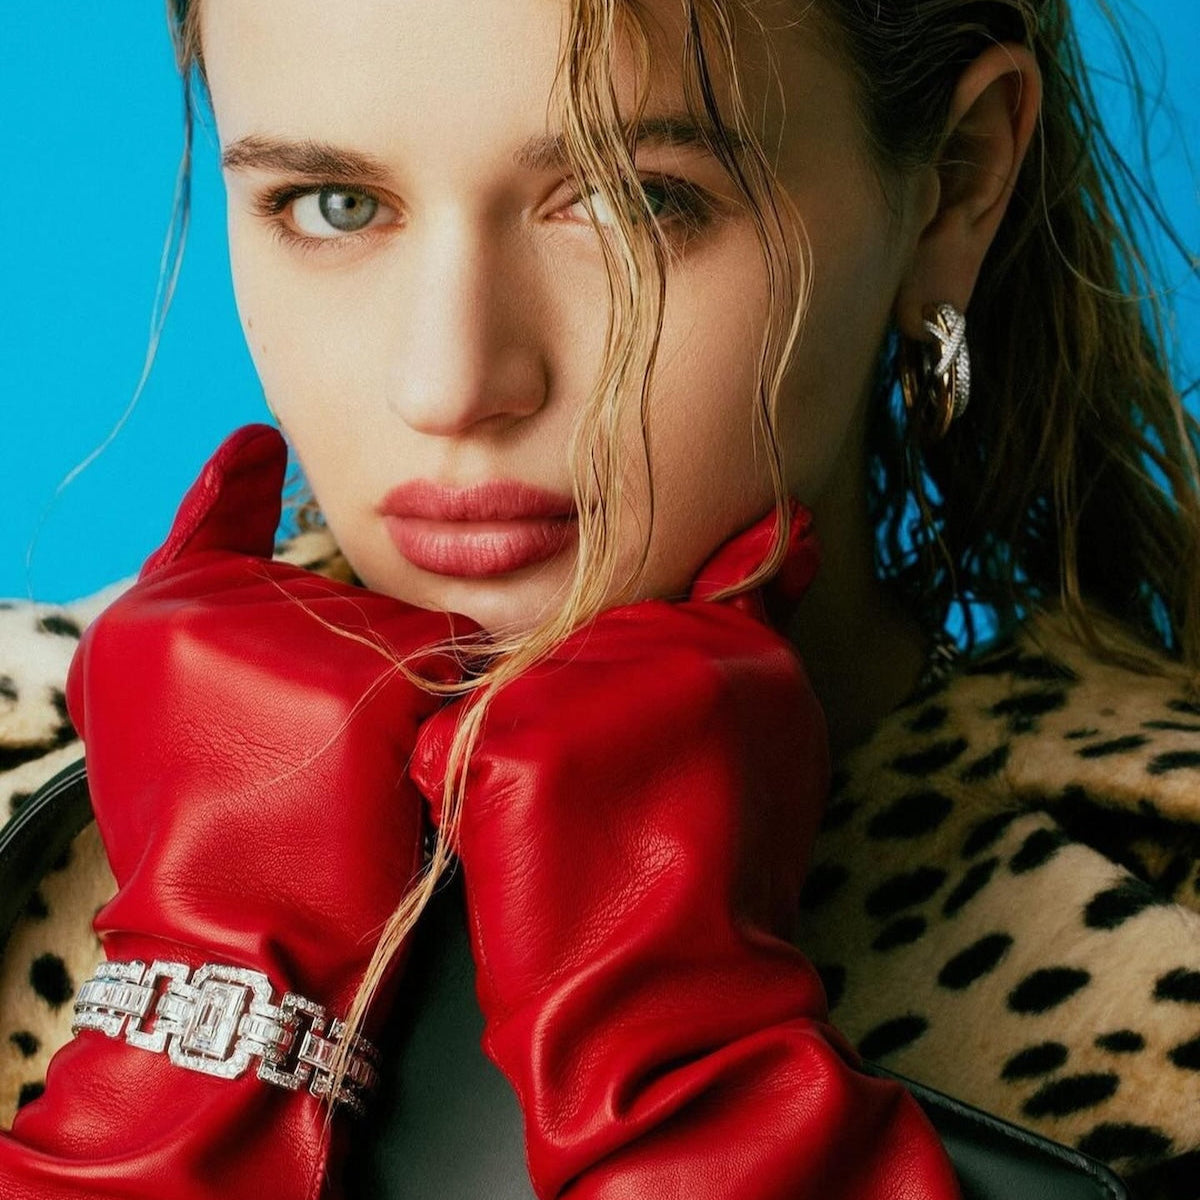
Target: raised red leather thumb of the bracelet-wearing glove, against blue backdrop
235,503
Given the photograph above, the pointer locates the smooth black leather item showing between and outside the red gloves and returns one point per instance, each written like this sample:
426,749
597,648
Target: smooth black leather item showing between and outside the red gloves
447,1123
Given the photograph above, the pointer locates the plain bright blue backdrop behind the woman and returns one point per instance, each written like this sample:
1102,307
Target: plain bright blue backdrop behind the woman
91,143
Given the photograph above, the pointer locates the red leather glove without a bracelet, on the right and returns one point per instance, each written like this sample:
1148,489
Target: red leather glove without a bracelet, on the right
638,819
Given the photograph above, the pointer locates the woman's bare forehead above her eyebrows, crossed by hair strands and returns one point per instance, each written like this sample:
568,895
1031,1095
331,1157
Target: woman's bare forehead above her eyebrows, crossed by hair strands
406,79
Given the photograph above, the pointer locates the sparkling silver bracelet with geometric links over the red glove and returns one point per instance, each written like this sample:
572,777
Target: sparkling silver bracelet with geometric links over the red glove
218,1018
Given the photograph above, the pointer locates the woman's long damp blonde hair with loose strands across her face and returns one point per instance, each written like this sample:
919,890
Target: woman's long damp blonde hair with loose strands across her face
1066,397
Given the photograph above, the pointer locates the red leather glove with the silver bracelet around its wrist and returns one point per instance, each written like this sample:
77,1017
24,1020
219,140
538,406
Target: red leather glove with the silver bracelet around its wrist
247,766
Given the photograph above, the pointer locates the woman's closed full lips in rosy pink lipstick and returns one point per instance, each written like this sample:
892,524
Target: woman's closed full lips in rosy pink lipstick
487,530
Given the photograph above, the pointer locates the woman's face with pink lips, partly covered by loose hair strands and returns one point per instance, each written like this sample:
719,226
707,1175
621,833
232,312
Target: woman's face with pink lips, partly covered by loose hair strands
445,321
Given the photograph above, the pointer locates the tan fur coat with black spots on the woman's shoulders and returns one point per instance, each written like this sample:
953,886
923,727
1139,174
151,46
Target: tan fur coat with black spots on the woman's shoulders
1004,901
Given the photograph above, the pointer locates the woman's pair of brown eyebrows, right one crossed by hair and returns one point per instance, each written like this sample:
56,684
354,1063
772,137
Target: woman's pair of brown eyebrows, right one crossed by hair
321,160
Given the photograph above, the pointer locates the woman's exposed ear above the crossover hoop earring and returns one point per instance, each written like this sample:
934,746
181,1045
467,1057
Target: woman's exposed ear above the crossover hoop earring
988,133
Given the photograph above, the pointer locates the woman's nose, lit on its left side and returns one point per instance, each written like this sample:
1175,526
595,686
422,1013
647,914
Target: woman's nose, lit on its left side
470,357
